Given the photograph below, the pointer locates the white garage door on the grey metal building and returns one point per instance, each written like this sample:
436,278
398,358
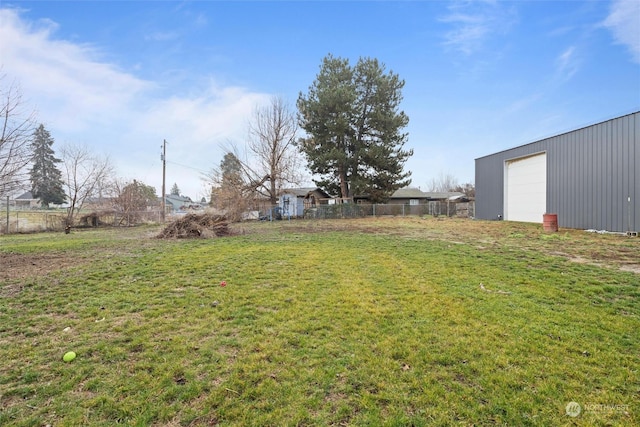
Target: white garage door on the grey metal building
526,188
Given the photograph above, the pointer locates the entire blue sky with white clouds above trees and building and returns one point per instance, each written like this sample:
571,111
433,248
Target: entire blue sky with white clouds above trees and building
481,76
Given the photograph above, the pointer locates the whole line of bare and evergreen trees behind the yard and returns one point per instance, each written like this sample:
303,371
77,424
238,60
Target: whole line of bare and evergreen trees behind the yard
348,133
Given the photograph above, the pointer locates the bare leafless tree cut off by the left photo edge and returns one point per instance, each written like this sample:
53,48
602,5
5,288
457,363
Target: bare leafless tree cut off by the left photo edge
15,137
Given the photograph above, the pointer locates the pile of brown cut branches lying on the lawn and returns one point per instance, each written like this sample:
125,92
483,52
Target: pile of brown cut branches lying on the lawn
193,225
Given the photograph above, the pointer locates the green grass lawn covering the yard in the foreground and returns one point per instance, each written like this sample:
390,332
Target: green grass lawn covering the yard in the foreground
370,322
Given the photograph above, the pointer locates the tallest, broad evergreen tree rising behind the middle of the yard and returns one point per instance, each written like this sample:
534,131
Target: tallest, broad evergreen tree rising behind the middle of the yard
354,126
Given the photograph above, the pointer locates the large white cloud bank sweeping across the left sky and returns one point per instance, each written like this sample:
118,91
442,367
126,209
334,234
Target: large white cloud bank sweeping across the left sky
82,98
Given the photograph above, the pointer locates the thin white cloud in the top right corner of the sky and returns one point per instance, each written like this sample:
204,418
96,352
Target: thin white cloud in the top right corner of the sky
624,23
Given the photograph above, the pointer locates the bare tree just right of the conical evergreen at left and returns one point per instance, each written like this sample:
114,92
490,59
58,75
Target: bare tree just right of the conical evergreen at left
85,174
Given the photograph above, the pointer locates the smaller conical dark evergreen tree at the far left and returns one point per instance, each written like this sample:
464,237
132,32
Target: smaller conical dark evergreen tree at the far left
46,178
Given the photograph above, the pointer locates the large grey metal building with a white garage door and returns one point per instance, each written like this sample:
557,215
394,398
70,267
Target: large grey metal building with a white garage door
589,177
